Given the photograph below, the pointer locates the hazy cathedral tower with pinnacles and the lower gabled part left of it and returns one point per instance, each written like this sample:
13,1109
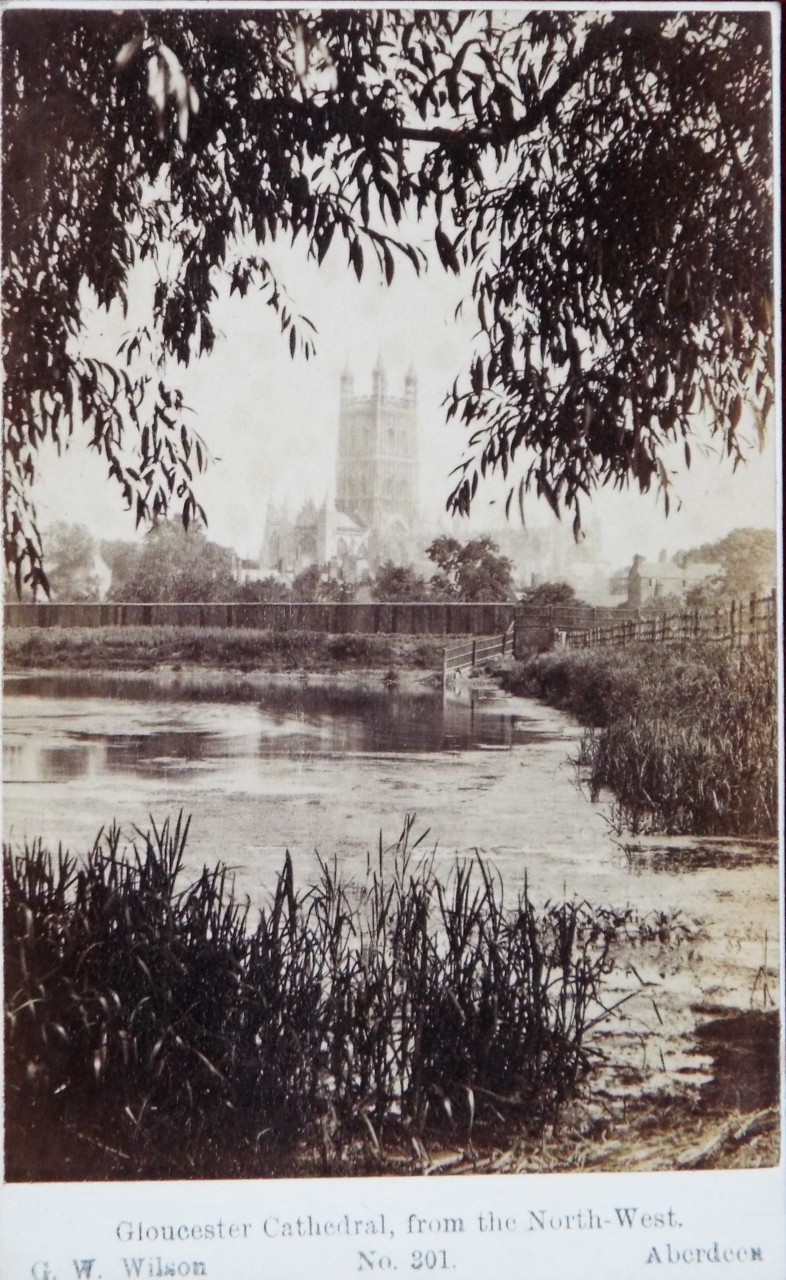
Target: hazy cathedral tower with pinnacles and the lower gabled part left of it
376,513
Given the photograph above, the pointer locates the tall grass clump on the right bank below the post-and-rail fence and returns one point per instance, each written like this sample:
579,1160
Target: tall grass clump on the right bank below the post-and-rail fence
686,738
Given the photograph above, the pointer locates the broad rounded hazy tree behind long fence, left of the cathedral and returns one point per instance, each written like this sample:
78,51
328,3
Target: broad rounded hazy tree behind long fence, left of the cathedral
171,565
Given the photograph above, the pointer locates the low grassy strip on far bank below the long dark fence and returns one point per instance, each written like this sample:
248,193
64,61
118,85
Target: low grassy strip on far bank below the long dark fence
240,650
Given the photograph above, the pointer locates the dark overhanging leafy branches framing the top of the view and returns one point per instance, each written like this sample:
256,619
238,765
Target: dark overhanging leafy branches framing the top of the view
605,179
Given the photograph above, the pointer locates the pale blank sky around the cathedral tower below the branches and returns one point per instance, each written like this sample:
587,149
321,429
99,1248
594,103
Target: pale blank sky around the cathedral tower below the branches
272,423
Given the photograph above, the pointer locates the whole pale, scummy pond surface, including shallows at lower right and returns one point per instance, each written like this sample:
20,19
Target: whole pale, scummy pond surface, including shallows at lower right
328,769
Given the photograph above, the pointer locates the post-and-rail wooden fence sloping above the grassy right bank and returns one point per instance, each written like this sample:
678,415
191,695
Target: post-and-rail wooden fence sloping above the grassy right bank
738,624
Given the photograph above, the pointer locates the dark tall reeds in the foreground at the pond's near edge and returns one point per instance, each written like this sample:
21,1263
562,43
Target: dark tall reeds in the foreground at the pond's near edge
157,1032
